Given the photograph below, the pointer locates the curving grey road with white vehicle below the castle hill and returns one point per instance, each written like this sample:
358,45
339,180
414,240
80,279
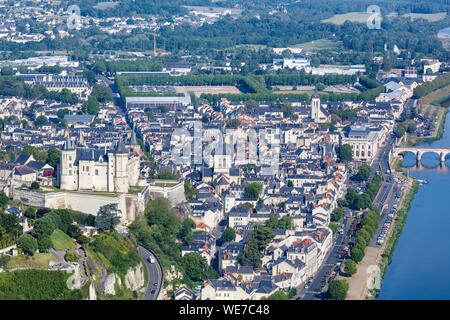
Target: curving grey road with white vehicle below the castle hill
155,275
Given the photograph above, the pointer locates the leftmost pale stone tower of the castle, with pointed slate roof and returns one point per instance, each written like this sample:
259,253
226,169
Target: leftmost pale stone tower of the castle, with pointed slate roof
68,176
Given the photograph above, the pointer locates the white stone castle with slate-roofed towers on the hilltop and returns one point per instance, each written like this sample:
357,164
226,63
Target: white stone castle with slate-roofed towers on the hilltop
95,169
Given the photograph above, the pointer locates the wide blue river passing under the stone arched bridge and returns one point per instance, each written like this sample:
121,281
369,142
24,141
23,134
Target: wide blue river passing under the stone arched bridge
420,267
